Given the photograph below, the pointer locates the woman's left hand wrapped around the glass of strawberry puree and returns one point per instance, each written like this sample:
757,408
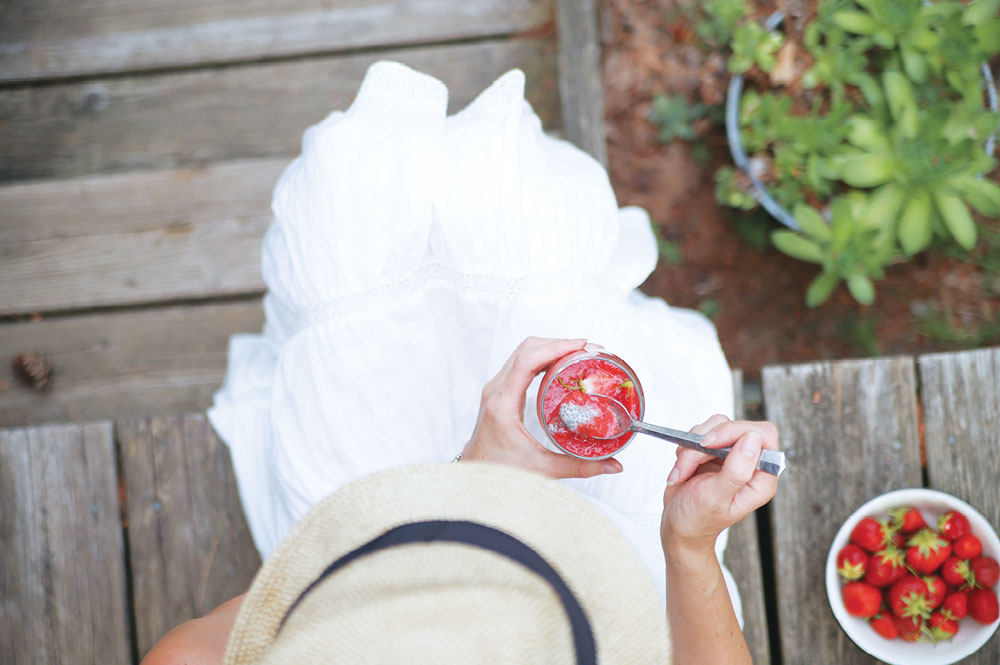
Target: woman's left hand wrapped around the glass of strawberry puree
500,435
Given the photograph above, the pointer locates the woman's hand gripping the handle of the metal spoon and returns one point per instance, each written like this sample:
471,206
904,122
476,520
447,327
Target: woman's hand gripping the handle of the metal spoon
704,495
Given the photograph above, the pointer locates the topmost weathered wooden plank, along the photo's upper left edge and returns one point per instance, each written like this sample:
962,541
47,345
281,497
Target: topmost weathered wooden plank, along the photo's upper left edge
60,38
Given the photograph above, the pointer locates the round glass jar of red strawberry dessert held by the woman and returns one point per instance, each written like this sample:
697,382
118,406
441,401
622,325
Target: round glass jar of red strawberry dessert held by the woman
591,370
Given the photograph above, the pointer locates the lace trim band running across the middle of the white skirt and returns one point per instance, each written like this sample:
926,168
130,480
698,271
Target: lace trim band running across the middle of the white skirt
504,289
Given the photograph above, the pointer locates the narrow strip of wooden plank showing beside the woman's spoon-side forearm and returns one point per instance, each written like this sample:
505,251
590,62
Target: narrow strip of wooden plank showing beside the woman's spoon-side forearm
742,558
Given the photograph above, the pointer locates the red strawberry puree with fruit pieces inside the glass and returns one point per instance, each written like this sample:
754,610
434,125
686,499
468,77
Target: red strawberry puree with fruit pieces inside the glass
590,376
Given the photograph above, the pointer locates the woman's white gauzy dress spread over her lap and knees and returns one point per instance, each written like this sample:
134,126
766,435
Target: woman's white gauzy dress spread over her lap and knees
410,253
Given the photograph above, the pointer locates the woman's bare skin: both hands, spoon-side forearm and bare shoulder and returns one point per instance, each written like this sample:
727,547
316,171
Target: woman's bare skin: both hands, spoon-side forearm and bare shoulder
703,497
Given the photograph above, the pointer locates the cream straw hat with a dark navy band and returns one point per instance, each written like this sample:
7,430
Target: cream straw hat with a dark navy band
452,563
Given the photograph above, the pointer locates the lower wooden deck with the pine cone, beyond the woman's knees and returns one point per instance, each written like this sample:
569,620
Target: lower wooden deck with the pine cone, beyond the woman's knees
140,142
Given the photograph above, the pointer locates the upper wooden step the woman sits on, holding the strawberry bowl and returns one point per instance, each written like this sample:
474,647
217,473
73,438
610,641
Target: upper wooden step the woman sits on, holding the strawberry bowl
121,530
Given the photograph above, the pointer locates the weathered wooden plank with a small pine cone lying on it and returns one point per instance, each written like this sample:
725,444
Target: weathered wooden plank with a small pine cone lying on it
121,364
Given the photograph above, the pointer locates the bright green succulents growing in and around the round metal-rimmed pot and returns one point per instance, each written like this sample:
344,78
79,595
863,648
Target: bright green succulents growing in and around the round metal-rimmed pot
892,140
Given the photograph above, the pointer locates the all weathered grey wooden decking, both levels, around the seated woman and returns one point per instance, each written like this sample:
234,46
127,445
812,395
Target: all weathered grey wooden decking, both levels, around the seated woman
139,144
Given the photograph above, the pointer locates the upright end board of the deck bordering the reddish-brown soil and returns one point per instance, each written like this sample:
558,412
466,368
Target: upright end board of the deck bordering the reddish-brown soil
580,85
